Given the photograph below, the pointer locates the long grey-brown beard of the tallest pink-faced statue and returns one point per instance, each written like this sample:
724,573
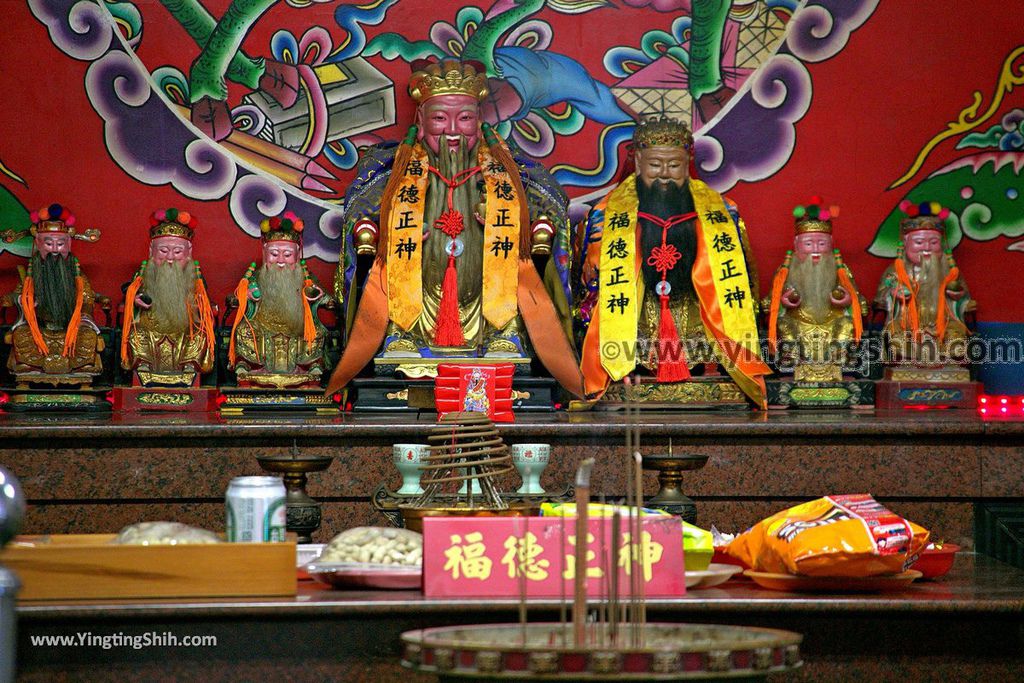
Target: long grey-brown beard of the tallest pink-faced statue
465,199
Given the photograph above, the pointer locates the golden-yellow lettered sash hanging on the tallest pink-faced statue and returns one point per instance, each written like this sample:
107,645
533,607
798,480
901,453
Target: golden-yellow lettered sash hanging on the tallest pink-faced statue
501,242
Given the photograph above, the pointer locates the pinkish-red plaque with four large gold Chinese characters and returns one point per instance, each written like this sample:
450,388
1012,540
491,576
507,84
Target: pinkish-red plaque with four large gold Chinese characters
502,558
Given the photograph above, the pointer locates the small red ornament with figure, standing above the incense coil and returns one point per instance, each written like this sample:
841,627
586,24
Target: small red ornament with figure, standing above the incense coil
467,389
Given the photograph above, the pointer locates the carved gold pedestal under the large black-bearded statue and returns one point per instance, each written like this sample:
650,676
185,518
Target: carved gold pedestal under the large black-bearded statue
698,394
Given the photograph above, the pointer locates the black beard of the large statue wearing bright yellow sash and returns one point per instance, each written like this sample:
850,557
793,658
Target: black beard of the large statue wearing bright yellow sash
665,200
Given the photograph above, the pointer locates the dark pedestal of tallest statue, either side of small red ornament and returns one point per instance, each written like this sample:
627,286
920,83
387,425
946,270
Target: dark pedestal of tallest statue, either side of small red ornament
530,395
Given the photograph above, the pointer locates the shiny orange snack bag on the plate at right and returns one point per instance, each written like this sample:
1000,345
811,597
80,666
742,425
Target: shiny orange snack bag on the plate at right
835,536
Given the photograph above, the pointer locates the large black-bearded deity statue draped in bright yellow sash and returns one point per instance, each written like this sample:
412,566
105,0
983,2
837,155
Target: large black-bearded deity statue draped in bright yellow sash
676,284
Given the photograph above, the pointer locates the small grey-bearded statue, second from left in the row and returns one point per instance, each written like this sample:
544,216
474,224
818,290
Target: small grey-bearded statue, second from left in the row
167,333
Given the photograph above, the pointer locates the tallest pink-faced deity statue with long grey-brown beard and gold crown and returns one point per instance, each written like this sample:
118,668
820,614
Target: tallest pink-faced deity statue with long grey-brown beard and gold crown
454,221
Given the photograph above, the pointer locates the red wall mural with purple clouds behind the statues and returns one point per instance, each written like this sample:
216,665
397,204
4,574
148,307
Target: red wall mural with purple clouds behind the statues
243,109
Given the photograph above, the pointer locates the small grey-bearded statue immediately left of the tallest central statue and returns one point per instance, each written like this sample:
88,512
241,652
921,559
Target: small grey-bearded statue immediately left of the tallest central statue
277,338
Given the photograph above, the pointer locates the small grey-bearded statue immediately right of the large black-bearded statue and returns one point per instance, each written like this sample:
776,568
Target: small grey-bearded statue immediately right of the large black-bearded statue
816,311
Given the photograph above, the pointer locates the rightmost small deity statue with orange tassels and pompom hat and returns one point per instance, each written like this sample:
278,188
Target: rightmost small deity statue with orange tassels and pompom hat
923,294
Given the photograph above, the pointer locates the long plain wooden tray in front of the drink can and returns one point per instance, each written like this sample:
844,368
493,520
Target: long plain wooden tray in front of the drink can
88,567
